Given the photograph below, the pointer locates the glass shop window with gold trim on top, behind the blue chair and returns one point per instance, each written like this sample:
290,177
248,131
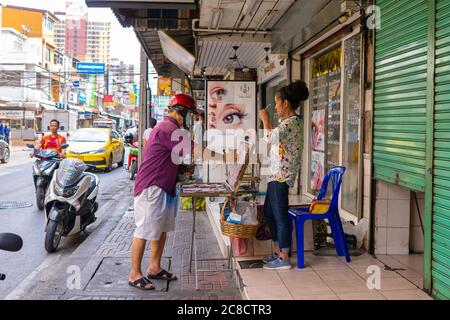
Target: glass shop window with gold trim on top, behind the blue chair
325,104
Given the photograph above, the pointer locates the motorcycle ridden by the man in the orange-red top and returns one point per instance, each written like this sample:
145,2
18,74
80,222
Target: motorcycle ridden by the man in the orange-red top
44,167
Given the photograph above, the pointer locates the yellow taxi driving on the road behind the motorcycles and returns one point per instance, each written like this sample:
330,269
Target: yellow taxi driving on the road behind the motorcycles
99,147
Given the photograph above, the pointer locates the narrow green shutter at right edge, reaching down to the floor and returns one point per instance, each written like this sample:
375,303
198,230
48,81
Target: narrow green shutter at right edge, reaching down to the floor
440,246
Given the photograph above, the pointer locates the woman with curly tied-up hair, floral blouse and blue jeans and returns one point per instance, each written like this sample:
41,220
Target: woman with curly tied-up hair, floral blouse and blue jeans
286,146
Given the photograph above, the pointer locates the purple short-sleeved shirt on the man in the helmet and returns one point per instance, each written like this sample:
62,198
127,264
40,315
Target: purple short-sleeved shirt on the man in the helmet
157,168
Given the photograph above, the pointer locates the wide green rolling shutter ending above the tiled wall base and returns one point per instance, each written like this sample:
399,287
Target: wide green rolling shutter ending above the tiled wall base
400,93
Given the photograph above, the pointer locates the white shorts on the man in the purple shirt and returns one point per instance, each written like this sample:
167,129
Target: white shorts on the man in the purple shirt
154,213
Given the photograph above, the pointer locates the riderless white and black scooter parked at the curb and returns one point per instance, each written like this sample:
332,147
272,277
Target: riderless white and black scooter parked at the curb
71,204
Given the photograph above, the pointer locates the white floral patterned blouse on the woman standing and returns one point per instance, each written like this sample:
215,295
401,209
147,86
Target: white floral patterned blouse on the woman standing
286,150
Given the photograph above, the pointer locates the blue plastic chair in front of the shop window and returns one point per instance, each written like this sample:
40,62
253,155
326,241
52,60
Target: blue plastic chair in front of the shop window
300,215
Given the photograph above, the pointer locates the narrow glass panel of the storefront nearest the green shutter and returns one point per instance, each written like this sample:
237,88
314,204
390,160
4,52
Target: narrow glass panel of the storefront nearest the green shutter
351,108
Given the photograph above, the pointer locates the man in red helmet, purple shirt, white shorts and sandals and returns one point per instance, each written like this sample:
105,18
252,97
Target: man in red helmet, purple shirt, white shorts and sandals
155,201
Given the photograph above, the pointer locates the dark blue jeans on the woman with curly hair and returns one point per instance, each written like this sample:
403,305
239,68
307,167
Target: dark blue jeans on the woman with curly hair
276,206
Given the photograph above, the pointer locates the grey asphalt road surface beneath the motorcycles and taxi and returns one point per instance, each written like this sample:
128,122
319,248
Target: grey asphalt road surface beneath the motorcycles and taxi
16,184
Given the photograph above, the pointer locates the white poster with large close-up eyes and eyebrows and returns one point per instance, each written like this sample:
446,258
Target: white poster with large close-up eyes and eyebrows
230,113
